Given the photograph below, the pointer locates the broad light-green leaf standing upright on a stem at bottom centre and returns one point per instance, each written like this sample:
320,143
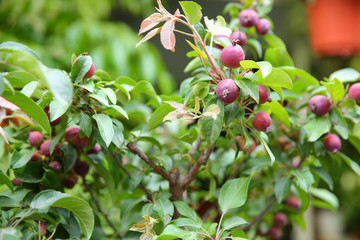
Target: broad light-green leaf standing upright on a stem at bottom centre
233,193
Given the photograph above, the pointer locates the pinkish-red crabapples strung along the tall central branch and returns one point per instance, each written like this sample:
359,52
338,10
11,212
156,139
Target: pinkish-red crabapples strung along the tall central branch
231,56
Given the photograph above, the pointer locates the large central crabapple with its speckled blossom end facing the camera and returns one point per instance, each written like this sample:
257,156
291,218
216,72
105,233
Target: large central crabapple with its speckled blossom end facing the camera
227,91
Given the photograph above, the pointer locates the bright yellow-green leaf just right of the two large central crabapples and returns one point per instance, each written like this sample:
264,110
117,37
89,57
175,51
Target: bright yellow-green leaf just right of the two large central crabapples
277,78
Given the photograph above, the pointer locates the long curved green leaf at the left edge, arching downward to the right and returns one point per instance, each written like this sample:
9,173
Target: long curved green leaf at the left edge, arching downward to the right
28,106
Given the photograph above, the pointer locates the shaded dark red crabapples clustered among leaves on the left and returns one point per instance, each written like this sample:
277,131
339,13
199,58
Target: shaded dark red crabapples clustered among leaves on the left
53,158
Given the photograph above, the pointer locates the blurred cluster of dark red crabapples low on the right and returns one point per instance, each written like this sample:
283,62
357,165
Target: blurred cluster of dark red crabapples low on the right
280,219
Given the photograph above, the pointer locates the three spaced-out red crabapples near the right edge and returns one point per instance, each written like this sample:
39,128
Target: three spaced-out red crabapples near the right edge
320,105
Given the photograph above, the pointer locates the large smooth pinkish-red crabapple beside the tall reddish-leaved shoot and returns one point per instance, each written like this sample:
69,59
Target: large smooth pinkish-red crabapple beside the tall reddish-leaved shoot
232,55
